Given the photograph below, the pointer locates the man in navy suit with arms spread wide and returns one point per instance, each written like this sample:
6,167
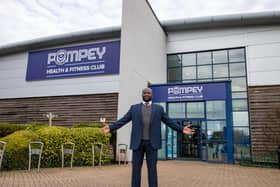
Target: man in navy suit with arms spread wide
145,135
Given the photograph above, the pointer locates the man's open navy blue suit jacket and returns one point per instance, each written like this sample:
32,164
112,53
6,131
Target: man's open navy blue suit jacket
135,114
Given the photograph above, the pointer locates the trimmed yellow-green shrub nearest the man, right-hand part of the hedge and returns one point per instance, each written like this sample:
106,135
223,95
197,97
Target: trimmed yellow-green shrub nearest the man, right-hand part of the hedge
53,137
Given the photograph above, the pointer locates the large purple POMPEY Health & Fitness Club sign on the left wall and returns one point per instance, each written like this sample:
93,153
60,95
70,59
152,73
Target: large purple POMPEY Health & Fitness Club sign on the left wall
91,59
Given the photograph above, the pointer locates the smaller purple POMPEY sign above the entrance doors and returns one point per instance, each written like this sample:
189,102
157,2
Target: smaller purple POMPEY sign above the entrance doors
189,92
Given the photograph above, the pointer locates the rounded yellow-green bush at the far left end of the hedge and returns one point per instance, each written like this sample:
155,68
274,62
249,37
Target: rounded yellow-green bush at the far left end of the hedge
16,153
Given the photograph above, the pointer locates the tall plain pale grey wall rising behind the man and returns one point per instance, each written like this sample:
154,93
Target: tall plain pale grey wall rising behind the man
143,57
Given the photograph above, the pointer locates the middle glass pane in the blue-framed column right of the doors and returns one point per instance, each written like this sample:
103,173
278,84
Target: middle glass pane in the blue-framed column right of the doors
216,130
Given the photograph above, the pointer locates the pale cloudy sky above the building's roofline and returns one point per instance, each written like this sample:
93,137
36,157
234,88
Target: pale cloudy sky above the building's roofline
22,20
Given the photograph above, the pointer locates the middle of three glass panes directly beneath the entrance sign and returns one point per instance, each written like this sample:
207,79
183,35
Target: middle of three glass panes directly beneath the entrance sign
195,110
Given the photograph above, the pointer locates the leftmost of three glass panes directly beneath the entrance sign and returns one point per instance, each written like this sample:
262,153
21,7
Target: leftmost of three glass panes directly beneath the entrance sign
176,110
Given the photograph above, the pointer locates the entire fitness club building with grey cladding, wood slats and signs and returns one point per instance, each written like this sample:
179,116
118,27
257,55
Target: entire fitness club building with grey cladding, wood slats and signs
219,73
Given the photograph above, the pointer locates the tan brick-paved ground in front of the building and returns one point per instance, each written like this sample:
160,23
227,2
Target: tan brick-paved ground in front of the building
171,174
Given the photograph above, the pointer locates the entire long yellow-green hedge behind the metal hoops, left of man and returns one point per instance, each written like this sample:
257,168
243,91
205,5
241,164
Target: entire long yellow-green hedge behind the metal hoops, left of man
16,154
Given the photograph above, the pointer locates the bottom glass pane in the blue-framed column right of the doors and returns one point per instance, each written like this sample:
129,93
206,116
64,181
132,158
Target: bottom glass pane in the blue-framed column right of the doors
217,151
